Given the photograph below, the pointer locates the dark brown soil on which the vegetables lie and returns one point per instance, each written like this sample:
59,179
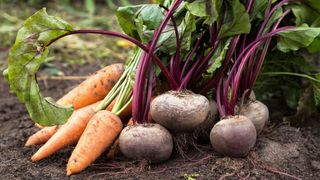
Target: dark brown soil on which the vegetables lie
281,152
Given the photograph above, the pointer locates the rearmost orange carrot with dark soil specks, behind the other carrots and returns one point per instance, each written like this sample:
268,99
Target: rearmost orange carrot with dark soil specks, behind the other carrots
94,88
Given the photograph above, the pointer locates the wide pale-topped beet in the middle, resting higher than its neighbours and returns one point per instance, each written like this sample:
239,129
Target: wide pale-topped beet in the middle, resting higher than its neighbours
180,111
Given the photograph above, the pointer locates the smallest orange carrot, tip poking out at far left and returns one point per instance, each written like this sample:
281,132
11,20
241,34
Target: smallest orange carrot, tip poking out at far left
42,135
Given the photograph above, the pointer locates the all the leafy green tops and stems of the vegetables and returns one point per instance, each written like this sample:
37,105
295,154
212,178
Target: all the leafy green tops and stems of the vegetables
209,47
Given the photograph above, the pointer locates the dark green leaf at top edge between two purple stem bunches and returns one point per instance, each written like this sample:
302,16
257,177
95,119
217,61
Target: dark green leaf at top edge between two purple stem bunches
237,20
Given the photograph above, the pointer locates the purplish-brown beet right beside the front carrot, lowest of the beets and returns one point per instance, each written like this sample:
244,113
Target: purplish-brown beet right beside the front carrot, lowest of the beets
146,141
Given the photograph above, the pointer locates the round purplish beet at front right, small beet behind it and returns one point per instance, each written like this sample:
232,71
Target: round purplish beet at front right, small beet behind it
233,136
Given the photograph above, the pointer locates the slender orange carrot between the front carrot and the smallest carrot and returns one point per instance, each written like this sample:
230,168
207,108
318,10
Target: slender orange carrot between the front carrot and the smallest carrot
68,133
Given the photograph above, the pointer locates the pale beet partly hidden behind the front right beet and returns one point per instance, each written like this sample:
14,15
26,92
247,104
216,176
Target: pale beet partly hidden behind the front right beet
257,112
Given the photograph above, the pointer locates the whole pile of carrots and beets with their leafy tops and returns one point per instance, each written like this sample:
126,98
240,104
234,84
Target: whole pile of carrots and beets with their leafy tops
192,59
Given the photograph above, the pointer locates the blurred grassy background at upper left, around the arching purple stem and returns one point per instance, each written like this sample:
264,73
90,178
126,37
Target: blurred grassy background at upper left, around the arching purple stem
70,51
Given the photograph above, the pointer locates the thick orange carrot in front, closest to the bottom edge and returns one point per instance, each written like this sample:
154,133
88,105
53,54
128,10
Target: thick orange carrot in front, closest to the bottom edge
100,133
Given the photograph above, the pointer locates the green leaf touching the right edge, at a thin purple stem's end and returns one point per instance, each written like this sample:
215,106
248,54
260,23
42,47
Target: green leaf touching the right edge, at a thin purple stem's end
294,39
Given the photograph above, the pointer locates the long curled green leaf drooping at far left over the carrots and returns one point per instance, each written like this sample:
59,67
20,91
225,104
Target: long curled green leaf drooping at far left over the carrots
25,58
